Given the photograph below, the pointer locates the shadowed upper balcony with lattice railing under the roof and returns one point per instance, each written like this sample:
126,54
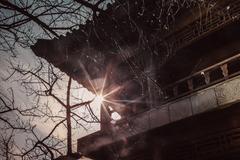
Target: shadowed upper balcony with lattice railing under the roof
217,18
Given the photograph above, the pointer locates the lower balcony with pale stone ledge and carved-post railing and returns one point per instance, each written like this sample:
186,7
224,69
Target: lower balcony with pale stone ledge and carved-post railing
213,88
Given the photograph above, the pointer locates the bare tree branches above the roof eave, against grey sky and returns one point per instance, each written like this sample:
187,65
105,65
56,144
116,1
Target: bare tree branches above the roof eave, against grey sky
22,22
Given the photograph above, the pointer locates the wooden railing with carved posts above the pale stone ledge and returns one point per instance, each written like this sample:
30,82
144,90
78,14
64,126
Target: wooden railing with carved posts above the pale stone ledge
214,74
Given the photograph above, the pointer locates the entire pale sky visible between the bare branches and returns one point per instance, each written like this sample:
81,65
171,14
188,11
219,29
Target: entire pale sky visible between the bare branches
26,57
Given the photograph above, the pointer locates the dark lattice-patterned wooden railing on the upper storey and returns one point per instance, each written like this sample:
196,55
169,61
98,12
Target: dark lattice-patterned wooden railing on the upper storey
221,16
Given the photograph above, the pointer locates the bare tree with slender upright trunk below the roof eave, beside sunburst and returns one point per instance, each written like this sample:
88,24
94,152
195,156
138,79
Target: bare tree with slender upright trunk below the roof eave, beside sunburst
41,82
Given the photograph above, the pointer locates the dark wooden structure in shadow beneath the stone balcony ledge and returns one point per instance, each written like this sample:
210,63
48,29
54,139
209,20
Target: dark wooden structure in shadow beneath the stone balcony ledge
208,136
